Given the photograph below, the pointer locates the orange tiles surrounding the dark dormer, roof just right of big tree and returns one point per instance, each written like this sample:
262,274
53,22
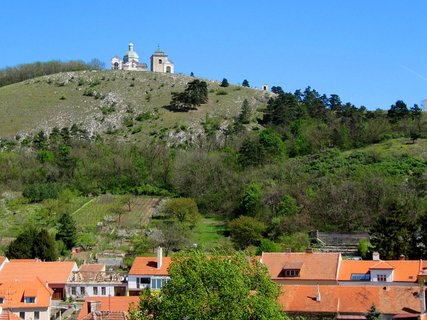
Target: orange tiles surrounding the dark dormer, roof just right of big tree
314,266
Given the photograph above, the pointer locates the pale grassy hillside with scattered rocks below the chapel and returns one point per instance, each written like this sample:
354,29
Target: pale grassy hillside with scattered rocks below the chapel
122,103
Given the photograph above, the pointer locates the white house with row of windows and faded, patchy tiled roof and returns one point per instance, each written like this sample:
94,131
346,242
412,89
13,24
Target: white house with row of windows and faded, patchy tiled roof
92,280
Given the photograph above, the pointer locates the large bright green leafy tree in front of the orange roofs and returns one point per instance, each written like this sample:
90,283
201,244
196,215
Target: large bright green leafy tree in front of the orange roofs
215,287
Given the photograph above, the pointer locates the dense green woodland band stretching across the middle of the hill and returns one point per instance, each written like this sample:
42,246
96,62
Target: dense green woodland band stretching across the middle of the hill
312,164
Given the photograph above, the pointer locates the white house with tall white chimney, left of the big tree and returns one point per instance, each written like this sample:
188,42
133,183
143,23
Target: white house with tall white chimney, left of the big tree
148,272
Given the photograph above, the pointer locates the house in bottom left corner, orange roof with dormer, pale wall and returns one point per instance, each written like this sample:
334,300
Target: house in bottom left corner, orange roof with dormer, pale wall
27,299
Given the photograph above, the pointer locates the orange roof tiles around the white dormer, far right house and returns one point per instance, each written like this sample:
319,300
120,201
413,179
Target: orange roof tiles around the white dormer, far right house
404,270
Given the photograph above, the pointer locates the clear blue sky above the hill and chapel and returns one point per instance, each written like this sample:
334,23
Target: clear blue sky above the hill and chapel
368,52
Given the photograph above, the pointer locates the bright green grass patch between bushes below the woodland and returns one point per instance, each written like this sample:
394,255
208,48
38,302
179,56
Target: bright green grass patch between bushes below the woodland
209,233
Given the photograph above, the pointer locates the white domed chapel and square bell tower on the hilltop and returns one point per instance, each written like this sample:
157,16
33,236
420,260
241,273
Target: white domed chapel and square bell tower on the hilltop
159,62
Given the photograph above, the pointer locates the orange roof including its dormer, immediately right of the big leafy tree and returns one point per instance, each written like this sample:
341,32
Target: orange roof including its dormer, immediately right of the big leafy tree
302,268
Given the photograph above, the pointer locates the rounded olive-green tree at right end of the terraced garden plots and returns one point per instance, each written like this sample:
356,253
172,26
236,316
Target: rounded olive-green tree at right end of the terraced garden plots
181,209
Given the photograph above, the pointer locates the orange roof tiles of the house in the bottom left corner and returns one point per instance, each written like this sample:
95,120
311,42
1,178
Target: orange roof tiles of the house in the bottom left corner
13,293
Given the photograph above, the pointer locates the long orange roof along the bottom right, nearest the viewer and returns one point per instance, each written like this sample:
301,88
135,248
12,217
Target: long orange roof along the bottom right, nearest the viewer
350,299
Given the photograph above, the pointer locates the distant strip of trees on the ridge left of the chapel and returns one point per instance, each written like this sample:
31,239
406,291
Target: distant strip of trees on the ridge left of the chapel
23,72
